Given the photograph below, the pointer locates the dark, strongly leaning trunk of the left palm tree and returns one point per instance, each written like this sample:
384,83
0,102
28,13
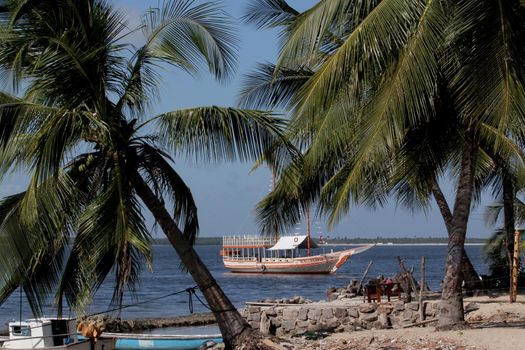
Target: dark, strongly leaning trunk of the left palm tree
232,325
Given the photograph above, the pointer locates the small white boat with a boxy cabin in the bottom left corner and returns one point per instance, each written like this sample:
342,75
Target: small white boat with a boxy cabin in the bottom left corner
50,333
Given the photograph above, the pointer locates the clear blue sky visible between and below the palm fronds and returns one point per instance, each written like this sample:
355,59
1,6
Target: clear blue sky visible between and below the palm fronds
226,194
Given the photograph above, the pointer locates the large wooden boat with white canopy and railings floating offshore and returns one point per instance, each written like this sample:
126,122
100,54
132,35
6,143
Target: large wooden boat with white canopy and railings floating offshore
254,254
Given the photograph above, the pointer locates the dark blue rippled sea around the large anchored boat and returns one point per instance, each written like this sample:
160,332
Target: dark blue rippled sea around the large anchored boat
167,278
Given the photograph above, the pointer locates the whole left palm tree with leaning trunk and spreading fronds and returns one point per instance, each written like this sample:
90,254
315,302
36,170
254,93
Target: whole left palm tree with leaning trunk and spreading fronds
81,128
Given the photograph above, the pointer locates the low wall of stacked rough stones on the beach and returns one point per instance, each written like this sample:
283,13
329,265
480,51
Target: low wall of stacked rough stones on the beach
296,320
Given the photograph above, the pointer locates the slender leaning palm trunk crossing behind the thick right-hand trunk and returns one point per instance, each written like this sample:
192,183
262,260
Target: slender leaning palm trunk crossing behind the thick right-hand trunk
470,275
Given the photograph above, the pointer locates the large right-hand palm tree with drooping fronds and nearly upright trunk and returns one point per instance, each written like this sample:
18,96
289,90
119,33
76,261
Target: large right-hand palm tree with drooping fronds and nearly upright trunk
401,93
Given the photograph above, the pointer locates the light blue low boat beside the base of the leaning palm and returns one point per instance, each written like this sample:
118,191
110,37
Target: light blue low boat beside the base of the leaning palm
129,341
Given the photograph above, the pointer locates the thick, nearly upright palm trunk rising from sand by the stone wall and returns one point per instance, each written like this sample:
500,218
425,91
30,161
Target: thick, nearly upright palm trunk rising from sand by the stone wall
451,308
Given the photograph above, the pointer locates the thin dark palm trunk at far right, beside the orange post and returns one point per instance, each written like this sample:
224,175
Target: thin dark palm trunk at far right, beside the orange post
508,213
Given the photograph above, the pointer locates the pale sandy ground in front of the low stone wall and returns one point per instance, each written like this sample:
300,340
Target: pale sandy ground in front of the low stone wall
496,325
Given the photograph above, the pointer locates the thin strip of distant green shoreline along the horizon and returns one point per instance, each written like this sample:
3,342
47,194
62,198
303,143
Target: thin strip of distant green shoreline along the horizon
342,240
